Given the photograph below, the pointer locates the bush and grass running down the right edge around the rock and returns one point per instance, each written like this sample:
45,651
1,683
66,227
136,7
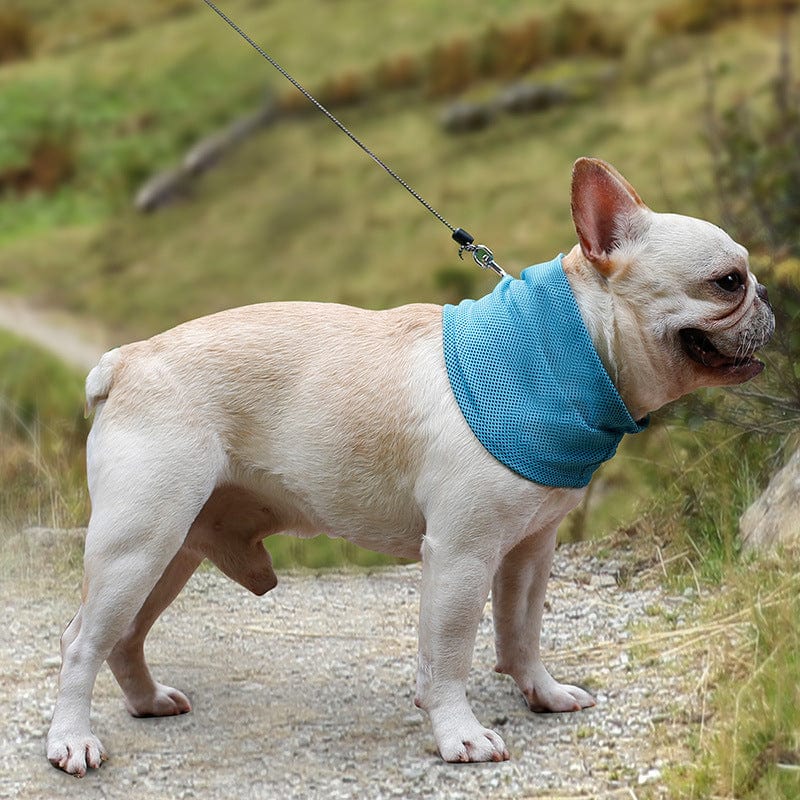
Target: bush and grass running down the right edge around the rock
752,749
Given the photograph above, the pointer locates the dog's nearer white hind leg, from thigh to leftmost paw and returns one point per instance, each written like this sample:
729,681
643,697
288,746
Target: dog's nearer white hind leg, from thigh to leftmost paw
144,502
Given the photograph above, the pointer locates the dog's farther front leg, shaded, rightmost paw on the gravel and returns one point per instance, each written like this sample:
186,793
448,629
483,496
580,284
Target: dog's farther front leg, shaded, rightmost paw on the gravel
518,594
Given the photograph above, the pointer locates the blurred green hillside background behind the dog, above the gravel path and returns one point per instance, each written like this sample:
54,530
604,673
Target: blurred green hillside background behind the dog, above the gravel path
153,168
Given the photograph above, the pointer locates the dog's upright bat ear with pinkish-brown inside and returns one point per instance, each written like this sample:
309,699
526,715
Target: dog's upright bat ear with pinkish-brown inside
606,210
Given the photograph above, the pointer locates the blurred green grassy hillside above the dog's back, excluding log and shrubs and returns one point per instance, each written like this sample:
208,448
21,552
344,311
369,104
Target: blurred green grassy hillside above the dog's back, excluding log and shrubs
298,211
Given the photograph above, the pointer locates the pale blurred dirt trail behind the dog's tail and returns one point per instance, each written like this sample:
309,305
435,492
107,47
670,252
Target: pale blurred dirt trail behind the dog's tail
76,342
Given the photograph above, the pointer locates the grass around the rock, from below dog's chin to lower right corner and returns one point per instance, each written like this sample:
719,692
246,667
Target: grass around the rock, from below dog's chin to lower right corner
744,639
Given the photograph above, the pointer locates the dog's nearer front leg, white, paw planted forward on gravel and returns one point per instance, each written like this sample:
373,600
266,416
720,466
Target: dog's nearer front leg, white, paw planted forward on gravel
455,585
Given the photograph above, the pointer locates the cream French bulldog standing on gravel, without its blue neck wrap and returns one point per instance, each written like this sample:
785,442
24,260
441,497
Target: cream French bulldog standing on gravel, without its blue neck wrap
310,418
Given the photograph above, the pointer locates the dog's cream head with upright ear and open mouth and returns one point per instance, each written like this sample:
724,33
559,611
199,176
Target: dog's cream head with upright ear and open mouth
672,296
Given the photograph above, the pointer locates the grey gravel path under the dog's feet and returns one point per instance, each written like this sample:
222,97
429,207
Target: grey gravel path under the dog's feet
308,693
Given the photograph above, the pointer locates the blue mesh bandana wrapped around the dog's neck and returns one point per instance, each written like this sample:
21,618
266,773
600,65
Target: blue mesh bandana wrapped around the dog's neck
530,383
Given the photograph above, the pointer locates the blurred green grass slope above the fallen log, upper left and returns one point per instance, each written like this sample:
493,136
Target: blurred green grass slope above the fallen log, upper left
199,76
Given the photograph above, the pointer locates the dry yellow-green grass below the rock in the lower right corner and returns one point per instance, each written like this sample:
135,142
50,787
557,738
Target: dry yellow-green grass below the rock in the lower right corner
748,743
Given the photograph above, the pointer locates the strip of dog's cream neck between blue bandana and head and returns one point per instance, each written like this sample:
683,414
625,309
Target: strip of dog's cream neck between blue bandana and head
617,337
